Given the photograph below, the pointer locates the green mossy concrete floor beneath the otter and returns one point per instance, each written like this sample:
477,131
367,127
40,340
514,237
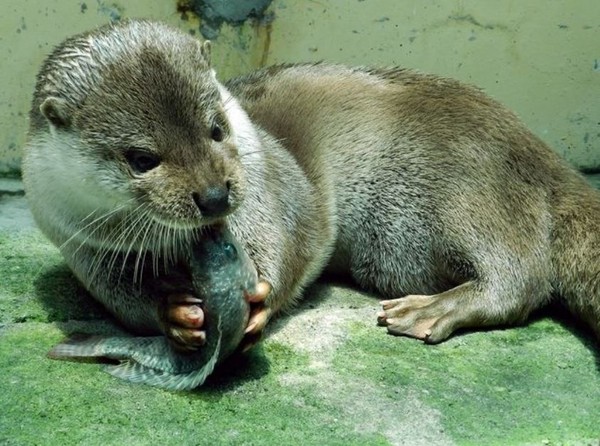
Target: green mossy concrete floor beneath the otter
325,374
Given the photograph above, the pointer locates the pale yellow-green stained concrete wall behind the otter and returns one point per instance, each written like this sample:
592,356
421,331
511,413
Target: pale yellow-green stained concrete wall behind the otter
539,57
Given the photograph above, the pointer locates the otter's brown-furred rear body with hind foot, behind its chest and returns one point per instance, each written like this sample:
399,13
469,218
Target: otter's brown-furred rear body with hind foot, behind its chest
436,185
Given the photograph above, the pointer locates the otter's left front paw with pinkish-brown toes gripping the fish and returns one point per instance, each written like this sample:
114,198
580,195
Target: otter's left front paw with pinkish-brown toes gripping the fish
182,318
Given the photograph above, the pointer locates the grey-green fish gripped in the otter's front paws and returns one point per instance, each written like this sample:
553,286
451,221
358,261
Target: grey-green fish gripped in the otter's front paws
221,274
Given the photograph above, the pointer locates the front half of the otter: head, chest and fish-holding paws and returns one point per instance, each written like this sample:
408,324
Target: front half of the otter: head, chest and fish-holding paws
132,147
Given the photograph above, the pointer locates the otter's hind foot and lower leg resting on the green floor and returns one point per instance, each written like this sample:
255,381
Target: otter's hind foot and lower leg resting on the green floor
472,304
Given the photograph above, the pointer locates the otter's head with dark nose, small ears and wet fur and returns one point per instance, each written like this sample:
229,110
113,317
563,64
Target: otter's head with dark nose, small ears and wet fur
138,106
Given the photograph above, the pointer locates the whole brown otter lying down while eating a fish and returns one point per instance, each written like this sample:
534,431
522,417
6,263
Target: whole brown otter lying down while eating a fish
420,188
